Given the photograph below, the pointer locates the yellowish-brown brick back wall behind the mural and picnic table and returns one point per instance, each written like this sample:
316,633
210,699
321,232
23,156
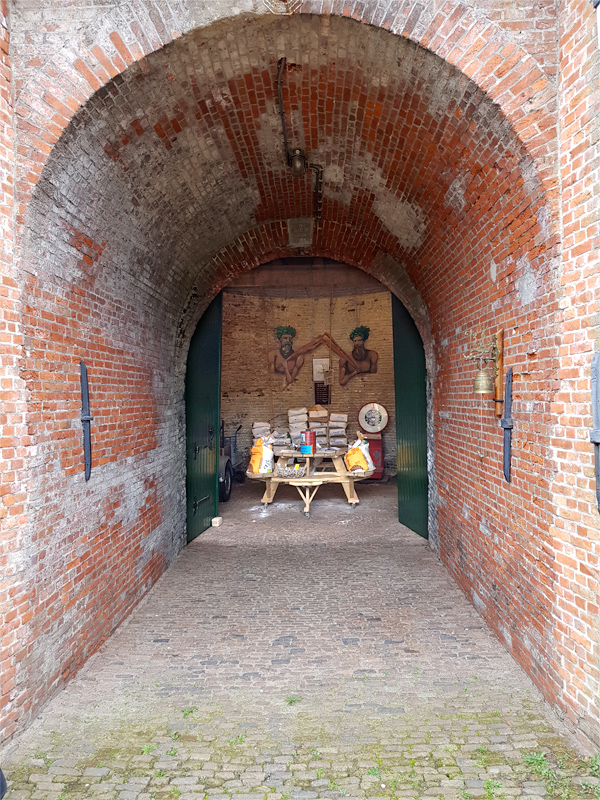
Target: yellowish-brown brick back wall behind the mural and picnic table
249,392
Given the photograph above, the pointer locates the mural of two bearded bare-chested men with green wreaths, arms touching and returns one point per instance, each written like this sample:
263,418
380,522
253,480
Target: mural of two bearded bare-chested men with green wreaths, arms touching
288,362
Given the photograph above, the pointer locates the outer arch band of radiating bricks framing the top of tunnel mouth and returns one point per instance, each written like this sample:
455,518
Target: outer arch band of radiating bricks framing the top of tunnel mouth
457,33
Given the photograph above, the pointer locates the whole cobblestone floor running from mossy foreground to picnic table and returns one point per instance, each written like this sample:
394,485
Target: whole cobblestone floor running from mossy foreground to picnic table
294,659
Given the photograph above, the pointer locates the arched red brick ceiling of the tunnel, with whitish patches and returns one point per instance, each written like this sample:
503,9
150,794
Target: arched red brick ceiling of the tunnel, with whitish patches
182,154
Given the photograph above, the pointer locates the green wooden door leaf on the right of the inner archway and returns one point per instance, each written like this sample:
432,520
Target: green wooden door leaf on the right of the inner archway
411,420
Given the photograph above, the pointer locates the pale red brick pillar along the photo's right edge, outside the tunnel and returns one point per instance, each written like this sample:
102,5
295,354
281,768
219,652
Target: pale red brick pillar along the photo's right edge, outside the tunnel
577,523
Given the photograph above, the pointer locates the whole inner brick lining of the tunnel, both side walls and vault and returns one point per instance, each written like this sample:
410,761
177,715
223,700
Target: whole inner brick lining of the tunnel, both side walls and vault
171,181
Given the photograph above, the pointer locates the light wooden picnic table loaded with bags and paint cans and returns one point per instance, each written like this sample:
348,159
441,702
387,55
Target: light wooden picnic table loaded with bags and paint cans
316,475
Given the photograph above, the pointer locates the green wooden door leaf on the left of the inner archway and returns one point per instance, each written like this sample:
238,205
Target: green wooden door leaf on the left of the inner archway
202,411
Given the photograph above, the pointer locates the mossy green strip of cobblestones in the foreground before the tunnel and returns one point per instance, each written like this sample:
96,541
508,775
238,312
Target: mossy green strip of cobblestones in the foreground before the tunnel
477,755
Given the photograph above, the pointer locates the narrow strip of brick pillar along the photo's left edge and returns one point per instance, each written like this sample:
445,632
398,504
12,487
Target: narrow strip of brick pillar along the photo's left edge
13,612
